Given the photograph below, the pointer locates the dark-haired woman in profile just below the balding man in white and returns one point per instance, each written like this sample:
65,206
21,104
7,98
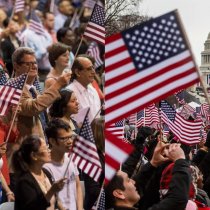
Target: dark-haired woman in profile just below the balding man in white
64,107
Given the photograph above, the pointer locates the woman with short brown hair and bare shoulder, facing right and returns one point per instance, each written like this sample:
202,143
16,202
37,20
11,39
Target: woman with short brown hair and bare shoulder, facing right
59,60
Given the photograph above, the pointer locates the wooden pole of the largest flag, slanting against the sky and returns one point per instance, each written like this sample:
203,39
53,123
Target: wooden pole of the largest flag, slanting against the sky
197,70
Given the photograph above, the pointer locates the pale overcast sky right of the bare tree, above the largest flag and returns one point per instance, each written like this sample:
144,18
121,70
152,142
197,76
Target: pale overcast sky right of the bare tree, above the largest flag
195,16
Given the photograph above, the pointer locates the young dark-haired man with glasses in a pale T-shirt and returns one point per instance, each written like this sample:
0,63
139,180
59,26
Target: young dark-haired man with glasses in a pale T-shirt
61,137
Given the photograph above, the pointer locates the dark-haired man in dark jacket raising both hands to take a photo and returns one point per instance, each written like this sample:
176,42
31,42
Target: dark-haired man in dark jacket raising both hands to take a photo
121,193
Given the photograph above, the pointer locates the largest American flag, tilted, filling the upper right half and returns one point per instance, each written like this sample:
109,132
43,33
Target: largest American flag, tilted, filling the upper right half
146,63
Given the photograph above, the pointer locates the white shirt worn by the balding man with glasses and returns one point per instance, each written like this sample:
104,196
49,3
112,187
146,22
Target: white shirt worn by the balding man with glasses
87,97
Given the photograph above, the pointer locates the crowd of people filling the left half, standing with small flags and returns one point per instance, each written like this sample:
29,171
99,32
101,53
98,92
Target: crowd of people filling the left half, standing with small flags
38,134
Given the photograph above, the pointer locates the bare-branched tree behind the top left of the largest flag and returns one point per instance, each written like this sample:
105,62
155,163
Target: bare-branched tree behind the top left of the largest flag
121,14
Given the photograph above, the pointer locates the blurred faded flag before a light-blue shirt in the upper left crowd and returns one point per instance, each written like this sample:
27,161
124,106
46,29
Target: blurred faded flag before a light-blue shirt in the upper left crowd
35,24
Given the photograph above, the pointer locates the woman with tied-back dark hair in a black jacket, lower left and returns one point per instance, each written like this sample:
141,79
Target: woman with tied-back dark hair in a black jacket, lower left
34,190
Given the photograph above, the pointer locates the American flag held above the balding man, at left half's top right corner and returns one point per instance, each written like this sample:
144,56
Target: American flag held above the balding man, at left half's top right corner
95,29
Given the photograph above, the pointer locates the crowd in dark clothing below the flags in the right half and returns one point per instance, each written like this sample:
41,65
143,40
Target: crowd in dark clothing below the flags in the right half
161,174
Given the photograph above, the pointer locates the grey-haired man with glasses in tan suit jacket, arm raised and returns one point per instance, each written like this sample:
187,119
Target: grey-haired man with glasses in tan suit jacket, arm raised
32,103
